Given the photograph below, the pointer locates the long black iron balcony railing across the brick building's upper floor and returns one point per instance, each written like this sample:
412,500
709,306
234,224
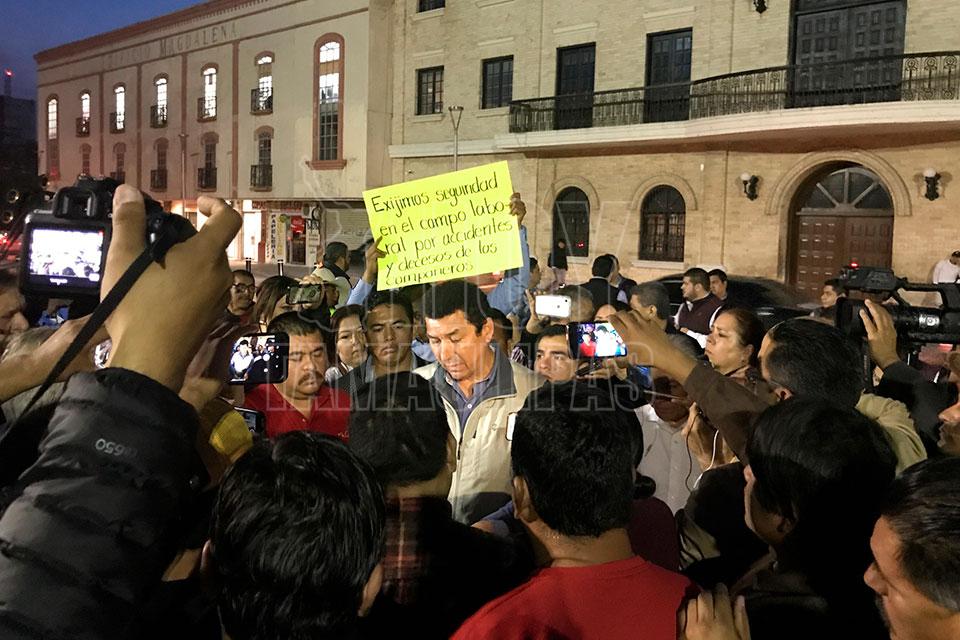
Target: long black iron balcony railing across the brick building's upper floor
903,78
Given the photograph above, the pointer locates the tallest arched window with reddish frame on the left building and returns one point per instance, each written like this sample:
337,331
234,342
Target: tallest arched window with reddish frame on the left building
328,102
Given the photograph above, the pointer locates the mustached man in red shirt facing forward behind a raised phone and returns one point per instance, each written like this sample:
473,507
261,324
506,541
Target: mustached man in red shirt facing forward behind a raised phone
302,402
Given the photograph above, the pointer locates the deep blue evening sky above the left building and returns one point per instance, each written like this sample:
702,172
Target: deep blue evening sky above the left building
28,26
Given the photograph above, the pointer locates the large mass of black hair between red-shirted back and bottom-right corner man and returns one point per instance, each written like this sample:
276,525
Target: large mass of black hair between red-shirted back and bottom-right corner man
823,467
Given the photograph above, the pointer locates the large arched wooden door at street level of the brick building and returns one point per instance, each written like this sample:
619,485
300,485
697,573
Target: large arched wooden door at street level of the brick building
845,216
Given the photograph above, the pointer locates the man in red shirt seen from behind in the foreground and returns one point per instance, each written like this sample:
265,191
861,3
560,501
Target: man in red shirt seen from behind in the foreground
572,487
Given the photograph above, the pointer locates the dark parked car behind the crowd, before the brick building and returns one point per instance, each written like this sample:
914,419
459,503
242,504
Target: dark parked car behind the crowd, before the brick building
771,300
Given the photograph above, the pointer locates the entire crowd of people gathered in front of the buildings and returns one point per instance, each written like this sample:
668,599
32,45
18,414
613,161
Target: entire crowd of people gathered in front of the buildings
444,461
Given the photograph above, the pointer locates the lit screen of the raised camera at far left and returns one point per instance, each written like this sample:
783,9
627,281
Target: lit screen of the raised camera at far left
66,257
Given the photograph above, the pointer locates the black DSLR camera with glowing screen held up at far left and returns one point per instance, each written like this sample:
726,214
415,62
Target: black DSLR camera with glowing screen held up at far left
64,249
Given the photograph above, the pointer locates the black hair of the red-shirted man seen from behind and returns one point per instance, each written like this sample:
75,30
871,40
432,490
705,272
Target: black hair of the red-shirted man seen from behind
577,462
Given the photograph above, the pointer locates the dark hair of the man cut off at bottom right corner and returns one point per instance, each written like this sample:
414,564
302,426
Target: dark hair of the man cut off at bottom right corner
923,509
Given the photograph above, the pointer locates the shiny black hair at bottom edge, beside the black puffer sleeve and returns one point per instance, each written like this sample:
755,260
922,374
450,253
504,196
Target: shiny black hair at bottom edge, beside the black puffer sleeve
297,529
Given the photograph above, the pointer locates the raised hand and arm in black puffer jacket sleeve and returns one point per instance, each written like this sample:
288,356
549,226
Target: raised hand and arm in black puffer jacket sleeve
96,520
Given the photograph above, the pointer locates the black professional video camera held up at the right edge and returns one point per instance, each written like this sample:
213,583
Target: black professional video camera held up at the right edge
915,325
